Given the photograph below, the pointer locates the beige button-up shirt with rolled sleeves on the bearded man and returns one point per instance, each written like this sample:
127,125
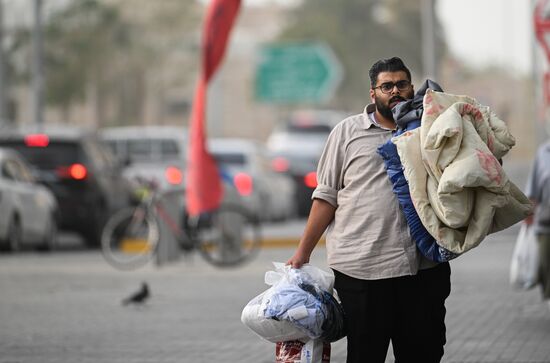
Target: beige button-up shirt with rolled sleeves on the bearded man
369,237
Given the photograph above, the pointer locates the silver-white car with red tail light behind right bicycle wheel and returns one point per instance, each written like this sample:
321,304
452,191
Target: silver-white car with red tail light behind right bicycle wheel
266,193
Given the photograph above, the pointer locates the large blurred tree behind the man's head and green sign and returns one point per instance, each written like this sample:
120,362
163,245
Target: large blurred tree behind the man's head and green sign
360,32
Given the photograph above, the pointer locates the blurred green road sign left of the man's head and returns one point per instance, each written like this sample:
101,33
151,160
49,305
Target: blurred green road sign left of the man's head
293,73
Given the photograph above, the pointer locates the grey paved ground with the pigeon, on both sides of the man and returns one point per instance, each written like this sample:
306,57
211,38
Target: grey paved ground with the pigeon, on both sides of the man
65,307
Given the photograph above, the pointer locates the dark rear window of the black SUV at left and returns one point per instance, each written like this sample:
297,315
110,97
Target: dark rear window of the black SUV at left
50,157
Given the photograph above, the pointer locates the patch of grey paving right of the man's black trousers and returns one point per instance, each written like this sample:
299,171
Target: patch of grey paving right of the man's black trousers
487,320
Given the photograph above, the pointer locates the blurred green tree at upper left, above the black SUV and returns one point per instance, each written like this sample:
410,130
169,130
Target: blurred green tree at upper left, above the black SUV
111,53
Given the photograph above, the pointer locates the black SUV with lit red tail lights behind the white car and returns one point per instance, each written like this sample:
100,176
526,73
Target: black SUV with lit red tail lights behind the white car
84,177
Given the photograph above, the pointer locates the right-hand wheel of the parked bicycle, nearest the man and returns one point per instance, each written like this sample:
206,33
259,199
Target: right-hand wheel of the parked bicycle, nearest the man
229,236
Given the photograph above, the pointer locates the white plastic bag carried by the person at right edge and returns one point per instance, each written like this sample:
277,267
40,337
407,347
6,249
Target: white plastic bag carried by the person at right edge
524,267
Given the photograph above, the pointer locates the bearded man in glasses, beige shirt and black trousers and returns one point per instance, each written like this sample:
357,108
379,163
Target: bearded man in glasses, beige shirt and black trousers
388,291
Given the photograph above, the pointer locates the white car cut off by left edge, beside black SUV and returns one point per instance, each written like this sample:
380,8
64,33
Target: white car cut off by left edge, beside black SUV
29,210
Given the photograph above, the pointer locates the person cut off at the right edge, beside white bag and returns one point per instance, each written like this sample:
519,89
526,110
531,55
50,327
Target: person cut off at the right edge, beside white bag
538,190
